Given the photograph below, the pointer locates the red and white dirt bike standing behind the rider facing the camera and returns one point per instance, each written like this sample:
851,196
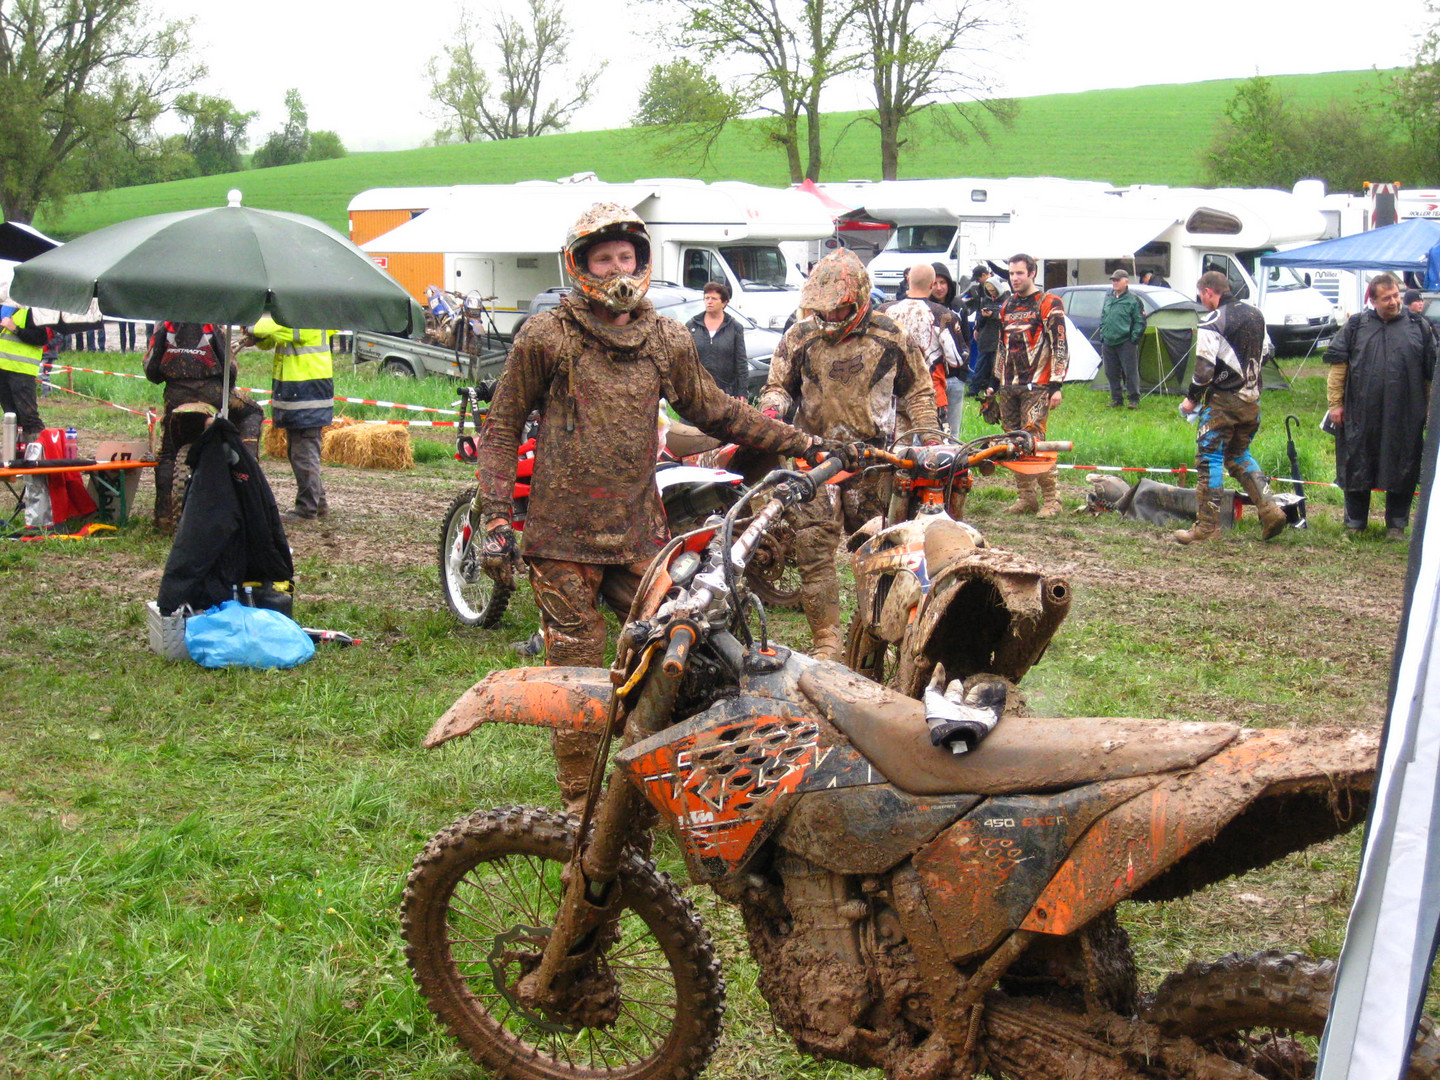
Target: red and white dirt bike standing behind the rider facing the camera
692,489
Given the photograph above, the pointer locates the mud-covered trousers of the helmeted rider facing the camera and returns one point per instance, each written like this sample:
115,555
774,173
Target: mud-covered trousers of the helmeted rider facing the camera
570,597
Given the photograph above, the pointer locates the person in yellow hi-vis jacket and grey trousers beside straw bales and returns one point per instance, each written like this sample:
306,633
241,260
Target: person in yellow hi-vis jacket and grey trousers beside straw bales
303,391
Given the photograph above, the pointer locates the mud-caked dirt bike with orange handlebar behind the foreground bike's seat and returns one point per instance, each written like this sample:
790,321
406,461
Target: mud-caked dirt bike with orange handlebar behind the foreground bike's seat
911,614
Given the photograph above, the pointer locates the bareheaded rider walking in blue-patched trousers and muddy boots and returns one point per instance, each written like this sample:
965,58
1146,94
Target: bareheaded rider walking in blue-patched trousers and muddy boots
1225,390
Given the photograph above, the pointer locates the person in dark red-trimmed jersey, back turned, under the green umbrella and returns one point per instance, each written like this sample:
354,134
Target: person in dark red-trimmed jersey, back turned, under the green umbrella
189,361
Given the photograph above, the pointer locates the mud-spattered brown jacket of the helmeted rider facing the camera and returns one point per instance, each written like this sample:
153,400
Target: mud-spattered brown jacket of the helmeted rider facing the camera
598,390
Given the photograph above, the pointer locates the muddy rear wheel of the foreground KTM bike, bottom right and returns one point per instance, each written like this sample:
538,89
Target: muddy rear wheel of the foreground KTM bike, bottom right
1266,1013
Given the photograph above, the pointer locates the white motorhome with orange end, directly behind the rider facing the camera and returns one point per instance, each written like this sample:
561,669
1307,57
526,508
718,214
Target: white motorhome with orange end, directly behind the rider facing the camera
503,241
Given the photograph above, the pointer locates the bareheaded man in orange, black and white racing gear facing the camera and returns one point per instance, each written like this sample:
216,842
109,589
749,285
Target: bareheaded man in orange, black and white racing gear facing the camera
1030,368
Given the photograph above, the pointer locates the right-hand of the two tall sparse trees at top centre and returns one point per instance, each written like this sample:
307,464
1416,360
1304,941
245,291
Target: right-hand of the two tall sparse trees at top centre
925,54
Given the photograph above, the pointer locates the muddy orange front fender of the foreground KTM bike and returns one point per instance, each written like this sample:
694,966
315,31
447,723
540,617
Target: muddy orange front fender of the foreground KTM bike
568,699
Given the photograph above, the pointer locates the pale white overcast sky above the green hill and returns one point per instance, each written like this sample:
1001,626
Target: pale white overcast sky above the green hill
361,67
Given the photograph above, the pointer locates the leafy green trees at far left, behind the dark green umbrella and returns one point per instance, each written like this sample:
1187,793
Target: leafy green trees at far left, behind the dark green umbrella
84,86
